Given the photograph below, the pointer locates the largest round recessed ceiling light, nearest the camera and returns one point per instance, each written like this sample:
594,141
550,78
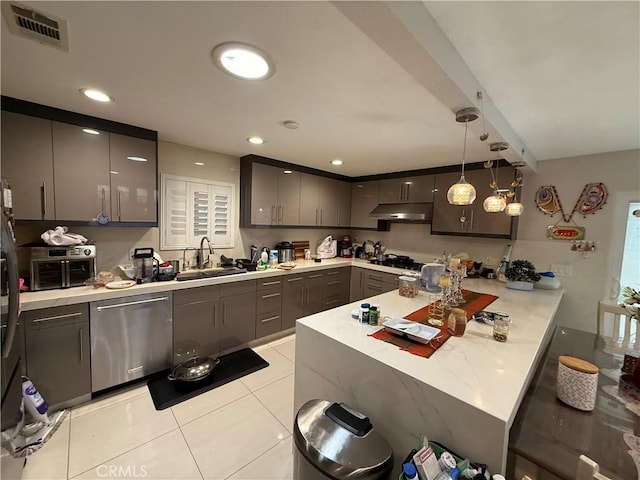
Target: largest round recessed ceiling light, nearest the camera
243,61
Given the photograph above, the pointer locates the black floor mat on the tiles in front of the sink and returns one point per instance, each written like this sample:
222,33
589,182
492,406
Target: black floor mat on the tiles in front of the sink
166,393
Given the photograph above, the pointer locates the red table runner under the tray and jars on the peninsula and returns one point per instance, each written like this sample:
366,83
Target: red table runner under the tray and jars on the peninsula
474,302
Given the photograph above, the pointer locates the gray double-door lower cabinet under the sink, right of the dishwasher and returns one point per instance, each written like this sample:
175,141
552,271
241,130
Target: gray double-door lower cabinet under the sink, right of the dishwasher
209,320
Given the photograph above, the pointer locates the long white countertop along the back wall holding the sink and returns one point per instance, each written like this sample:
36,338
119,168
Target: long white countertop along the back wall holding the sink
69,296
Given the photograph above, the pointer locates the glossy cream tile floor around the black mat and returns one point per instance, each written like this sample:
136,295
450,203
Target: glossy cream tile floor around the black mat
241,430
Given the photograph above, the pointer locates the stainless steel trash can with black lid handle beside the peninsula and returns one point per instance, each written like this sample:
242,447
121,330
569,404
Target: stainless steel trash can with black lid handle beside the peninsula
335,441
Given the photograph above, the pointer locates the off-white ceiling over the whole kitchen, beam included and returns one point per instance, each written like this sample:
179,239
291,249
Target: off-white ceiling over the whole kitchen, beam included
560,79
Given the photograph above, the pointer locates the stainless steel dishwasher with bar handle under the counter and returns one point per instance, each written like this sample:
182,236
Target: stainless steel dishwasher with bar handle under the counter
131,337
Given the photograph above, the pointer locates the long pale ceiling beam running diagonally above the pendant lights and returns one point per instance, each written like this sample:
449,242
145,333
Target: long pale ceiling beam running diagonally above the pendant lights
409,34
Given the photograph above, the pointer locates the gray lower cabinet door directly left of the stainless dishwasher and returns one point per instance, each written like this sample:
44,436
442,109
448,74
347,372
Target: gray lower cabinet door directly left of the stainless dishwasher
58,353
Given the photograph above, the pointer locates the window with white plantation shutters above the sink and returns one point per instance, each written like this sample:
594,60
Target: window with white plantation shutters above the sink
193,208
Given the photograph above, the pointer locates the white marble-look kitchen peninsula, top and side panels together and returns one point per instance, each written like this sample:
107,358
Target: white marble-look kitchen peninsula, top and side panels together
465,396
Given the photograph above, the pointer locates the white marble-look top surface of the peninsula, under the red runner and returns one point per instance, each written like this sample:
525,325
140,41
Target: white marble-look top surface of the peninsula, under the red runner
477,370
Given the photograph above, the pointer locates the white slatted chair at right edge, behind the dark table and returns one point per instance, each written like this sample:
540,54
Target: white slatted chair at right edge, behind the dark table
619,331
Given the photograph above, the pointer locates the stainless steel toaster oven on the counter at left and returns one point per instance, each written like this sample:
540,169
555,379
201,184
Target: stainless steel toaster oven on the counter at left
62,267
